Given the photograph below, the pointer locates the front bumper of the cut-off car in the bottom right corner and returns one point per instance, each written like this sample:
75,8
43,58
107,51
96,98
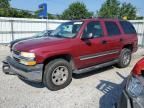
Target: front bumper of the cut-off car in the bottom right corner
127,102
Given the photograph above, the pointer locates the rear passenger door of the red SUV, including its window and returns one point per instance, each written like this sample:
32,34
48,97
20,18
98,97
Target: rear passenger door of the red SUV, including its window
113,39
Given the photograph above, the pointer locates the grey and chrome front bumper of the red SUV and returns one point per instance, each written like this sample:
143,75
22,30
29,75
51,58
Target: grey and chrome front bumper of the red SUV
30,73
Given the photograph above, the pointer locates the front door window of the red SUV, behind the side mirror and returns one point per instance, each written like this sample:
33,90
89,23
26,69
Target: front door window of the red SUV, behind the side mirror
93,28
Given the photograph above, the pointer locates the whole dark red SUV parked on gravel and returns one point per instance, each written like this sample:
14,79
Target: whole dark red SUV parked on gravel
74,47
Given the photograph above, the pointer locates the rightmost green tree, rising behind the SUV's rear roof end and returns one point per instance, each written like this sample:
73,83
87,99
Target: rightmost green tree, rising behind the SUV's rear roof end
128,10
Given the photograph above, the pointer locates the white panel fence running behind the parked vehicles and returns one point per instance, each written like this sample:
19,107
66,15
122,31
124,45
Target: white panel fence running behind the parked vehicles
14,28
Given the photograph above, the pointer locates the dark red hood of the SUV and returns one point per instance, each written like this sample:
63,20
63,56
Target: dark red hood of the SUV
31,44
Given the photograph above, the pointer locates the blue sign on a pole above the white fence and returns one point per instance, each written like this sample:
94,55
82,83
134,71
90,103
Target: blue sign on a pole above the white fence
43,10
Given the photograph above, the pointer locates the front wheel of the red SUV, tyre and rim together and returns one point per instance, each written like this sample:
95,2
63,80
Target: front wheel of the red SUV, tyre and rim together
57,74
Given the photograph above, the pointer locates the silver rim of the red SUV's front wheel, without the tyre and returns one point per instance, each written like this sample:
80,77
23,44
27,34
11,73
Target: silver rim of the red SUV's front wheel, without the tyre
60,75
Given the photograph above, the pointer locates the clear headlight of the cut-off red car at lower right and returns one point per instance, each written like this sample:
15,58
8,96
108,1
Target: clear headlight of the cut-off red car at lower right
134,87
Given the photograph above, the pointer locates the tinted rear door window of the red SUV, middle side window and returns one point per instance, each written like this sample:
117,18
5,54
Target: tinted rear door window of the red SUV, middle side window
112,28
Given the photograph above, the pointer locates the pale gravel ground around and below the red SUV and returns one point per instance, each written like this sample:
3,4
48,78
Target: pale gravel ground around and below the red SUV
97,89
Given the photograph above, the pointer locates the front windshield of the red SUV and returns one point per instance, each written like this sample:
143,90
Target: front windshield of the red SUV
67,30
